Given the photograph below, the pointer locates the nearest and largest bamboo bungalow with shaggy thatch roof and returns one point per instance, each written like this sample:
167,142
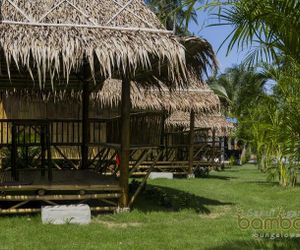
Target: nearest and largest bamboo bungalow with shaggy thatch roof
64,46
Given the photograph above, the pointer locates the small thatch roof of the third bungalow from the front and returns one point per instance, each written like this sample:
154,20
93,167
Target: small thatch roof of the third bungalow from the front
212,121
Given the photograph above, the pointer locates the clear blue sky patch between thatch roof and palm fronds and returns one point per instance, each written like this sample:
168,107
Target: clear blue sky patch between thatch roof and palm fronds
216,35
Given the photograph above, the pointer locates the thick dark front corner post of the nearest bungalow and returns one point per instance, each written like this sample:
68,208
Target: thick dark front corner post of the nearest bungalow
125,142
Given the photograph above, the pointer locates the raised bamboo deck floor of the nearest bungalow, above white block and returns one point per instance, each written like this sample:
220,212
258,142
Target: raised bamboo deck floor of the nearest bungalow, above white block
68,187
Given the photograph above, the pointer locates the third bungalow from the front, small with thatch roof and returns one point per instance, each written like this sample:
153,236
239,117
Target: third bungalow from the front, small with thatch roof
210,131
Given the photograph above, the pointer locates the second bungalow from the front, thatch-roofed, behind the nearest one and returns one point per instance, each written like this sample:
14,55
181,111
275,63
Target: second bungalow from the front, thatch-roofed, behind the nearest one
198,98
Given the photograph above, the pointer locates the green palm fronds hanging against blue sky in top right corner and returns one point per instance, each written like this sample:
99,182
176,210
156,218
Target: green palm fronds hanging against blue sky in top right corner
269,27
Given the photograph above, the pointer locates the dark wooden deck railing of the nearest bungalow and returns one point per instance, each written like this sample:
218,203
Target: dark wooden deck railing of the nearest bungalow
63,132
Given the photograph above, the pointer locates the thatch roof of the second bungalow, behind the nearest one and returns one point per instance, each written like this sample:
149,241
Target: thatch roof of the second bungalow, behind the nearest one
197,97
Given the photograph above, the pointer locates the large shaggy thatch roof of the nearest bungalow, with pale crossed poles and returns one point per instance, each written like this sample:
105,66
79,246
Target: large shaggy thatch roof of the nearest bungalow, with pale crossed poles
64,41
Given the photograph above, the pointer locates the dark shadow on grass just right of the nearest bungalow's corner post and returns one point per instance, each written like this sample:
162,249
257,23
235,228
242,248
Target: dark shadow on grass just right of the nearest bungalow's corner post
157,198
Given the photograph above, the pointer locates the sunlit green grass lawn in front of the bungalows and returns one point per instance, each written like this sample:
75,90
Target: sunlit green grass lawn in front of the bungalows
171,214
